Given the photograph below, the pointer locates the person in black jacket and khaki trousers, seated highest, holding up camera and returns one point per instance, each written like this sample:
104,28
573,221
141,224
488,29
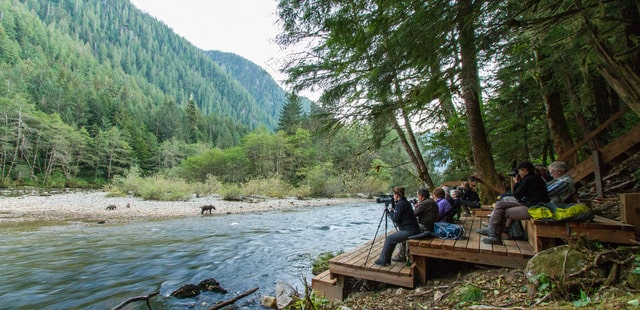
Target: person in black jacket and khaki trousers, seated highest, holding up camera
529,189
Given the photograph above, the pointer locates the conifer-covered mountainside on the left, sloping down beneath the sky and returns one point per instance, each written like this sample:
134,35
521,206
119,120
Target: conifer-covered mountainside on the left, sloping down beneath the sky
96,67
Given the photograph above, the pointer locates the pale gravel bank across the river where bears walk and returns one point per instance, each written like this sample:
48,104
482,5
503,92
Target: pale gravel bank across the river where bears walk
100,207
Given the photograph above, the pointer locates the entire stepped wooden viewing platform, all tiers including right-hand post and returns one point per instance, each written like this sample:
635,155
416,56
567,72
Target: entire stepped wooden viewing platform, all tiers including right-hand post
359,263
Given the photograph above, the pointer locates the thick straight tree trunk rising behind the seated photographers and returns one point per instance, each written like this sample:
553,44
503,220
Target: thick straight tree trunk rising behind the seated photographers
470,84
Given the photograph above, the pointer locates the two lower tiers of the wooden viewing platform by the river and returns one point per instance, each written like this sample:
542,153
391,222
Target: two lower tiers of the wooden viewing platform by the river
359,263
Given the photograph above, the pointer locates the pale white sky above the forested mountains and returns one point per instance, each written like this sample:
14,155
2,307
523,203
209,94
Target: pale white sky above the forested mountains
244,27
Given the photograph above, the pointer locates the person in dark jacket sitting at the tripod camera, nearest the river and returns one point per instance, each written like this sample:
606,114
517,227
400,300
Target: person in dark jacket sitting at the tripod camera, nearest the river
402,216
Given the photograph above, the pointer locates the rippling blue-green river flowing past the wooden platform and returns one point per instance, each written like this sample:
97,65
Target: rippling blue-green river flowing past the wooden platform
91,266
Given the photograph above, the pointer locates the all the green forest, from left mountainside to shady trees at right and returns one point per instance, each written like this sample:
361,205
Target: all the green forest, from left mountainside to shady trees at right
415,93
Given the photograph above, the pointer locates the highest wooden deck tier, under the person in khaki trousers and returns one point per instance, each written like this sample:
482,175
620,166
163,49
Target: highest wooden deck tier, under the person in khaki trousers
542,235
